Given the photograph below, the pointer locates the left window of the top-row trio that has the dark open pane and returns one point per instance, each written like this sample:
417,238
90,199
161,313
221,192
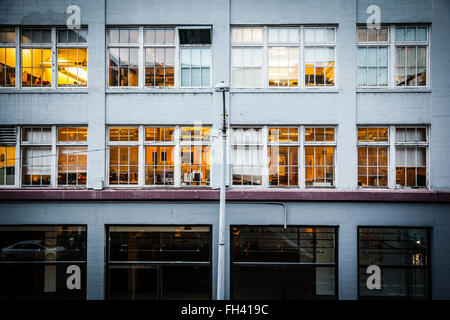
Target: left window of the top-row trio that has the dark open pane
123,61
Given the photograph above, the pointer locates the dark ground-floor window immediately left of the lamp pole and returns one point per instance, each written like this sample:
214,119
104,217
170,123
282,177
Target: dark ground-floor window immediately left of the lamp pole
159,262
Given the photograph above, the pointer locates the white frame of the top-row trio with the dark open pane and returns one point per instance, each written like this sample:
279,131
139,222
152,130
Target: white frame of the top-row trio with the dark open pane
141,45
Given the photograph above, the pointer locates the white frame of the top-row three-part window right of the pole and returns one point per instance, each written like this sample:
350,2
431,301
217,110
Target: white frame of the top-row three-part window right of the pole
301,45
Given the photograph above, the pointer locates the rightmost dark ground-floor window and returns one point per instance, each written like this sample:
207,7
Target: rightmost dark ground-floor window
403,257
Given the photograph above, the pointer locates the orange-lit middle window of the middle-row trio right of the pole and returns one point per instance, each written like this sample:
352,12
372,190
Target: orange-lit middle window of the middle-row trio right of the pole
283,156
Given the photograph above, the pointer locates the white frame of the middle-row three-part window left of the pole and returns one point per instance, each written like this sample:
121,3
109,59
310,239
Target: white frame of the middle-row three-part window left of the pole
141,143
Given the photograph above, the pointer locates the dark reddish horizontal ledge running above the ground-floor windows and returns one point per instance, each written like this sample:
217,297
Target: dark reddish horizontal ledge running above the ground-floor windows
232,195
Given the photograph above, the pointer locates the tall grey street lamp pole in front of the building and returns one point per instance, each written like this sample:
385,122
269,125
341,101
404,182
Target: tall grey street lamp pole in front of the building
222,87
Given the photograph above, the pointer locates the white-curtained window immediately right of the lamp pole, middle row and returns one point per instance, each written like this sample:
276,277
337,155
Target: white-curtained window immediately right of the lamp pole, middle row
247,148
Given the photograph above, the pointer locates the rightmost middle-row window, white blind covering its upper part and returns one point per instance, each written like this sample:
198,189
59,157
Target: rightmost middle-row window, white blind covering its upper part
411,146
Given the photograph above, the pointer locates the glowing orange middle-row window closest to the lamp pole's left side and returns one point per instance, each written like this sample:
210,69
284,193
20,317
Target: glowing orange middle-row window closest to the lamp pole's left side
195,155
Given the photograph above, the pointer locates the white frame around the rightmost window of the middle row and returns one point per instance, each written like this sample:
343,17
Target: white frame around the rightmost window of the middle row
423,144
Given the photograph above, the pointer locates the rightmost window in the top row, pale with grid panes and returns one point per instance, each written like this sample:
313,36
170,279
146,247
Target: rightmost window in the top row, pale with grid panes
411,56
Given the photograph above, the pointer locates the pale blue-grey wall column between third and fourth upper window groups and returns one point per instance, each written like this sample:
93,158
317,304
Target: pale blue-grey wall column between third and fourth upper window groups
347,162
